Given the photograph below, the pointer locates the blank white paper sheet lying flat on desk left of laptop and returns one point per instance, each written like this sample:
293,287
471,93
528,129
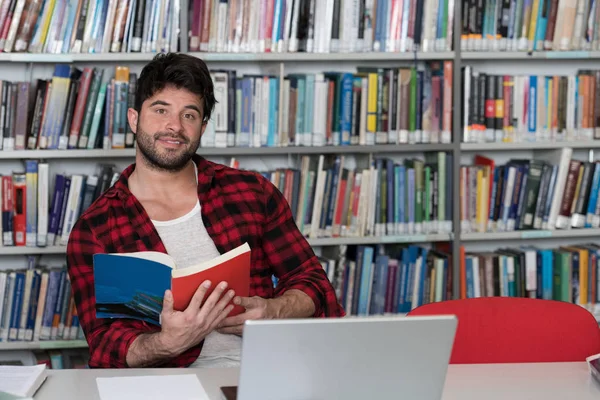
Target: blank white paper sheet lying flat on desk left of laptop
156,387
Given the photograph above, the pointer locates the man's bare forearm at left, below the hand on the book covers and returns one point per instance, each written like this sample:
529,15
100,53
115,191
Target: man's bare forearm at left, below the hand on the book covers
148,349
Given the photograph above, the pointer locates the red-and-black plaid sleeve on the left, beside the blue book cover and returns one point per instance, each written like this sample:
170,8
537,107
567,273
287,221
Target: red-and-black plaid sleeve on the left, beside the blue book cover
108,340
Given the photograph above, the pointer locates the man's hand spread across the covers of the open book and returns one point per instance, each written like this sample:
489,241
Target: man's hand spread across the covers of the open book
184,329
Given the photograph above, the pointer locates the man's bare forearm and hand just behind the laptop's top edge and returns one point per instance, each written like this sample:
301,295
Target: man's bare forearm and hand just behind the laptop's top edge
292,304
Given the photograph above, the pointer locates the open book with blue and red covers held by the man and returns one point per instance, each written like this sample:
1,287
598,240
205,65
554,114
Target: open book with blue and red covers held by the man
132,285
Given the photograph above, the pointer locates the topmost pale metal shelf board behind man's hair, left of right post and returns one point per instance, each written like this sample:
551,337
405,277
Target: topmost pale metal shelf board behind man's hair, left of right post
226,57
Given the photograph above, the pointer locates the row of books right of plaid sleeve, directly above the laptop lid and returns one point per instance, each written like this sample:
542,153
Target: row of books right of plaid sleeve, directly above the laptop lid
377,280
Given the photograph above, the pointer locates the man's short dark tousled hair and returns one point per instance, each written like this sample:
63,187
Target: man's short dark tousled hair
181,71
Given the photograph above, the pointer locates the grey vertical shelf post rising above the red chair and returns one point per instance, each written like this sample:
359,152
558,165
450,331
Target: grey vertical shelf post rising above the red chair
456,139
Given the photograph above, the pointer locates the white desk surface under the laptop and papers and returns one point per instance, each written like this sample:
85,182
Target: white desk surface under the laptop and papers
464,382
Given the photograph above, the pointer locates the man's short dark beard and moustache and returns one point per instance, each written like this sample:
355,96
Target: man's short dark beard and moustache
169,160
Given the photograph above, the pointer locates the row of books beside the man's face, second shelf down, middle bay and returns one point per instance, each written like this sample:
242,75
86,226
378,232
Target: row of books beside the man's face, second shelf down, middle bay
371,106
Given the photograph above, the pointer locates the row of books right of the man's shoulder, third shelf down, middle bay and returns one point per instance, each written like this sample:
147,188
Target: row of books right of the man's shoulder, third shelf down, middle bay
386,197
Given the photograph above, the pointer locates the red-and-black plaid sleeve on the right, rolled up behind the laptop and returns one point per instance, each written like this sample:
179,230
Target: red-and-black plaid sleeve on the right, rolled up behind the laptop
293,261
